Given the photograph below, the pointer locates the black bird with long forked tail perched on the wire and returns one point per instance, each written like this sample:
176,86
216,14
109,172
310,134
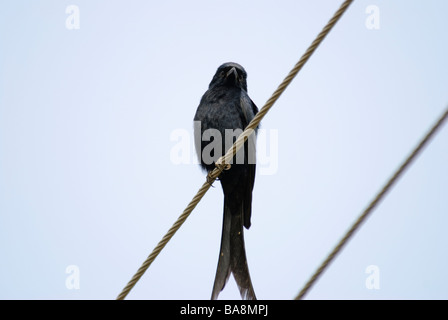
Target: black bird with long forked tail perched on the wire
223,113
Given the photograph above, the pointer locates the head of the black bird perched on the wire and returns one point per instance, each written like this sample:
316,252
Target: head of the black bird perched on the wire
230,74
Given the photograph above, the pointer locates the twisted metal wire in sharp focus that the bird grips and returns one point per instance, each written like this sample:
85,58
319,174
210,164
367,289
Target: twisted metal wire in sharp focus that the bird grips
233,150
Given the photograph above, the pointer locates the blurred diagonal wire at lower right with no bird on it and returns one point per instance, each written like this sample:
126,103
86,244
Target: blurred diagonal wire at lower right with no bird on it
372,205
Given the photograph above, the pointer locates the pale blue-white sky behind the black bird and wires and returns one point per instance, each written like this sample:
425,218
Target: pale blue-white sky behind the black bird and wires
87,177
